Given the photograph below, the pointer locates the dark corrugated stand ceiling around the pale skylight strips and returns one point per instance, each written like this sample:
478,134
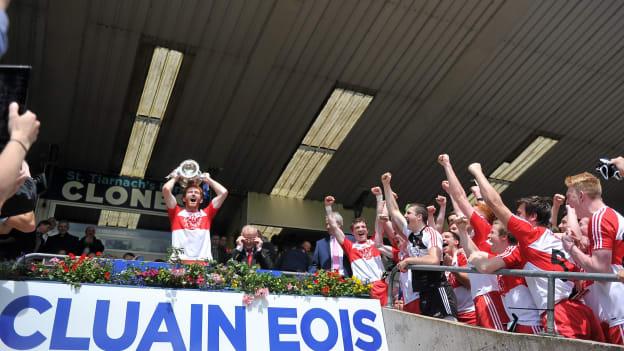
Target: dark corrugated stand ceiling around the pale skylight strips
472,78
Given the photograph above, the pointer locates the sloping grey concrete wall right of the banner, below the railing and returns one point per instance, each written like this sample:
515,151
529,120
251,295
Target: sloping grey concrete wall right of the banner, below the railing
405,331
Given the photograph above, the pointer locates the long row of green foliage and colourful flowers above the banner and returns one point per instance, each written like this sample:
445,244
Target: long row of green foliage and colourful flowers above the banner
201,275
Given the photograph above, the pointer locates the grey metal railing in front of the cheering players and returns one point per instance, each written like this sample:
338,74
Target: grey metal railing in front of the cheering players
550,275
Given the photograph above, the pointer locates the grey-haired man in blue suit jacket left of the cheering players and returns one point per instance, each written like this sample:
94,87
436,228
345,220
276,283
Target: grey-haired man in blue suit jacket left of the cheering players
328,253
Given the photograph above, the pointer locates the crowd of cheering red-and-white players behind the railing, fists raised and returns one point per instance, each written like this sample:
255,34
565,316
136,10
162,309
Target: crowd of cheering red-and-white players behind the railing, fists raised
489,236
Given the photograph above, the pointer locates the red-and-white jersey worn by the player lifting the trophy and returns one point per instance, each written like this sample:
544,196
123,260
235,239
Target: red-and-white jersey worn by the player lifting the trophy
190,231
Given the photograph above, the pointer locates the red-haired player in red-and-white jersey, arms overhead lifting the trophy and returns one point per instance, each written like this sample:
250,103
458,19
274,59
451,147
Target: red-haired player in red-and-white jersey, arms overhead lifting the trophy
190,226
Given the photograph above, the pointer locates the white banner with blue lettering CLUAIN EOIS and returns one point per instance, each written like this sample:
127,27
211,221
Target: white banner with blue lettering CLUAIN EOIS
54,316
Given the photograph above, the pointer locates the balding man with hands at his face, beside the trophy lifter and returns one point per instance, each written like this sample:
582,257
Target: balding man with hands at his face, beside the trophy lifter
249,249
